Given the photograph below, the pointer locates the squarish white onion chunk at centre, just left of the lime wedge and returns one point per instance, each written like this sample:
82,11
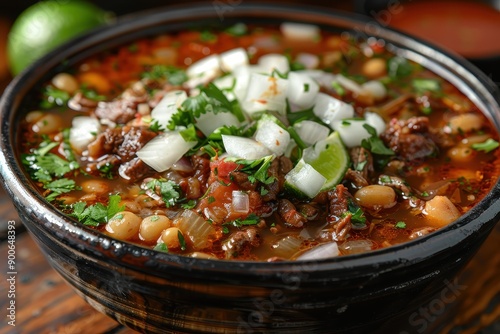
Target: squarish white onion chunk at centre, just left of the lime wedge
272,136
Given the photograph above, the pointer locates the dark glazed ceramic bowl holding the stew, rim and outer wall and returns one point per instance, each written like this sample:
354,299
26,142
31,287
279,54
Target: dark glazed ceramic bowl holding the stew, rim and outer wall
157,292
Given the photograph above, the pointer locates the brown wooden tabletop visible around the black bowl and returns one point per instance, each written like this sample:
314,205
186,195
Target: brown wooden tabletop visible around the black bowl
46,304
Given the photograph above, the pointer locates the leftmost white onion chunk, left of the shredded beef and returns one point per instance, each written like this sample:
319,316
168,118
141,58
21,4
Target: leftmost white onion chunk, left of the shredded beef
83,131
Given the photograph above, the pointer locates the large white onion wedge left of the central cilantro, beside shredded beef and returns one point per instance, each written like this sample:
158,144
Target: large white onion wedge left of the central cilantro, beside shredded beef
161,152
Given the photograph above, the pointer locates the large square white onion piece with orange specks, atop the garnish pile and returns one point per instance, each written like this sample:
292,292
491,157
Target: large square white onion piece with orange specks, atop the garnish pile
265,93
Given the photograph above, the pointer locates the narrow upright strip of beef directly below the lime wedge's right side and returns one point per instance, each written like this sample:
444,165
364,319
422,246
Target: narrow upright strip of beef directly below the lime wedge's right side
339,219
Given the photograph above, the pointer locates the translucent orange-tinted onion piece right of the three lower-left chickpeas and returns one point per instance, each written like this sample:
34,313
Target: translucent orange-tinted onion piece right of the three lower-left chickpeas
197,229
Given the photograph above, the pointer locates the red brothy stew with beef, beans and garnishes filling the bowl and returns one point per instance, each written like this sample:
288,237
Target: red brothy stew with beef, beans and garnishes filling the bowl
432,157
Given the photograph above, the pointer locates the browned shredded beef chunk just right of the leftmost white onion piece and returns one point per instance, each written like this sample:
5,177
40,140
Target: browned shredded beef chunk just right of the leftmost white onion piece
118,147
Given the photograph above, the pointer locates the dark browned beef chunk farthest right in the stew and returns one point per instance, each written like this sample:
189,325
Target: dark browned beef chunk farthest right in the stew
410,139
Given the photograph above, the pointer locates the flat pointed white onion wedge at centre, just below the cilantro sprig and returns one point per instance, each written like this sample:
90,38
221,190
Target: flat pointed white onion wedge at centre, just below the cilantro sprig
244,148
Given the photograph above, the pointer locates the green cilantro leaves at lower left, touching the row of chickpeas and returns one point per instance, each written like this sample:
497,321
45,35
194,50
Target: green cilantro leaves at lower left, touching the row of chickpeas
98,213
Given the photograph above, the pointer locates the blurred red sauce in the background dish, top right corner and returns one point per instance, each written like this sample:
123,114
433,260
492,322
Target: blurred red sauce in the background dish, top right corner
468,28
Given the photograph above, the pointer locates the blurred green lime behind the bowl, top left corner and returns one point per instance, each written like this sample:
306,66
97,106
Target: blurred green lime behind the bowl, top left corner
48,24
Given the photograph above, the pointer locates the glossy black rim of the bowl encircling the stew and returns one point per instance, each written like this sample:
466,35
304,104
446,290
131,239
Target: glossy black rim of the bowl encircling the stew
71,232
